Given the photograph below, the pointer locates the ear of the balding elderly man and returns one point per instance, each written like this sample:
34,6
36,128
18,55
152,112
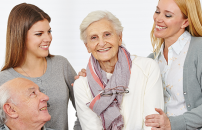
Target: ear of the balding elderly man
10,110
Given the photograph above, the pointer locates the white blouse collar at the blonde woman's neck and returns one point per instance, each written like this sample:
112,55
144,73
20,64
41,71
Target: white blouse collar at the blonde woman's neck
178,45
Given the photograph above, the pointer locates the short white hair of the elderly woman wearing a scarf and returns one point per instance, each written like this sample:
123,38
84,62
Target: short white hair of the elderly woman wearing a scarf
96,16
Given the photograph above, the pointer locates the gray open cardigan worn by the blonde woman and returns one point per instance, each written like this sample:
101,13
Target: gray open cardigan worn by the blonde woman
192,85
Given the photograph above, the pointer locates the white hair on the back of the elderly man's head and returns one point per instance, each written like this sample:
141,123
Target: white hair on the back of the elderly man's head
4,97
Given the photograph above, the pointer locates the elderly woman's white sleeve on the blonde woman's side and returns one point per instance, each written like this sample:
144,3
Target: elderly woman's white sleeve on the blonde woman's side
153,97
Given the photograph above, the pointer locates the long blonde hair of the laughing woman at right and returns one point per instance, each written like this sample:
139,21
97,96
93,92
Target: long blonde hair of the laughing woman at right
191,9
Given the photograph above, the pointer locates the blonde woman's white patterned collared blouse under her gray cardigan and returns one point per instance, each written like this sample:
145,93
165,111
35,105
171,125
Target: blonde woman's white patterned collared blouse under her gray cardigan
172,75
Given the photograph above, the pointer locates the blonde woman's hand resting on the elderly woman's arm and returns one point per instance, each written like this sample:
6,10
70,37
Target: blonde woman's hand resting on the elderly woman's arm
158,121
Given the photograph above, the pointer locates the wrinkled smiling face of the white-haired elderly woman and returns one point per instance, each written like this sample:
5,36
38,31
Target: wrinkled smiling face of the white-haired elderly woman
103,41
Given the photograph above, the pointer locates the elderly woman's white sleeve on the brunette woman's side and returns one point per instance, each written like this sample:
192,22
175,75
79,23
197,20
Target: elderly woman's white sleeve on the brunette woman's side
88,119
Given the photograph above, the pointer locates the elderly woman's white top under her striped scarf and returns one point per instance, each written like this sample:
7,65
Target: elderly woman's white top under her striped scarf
145,94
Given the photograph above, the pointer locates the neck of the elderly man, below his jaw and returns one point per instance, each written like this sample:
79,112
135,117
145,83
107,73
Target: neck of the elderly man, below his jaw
19,125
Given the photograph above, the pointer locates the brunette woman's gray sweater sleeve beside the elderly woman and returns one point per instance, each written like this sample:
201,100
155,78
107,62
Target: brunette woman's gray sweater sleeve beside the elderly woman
69,78
